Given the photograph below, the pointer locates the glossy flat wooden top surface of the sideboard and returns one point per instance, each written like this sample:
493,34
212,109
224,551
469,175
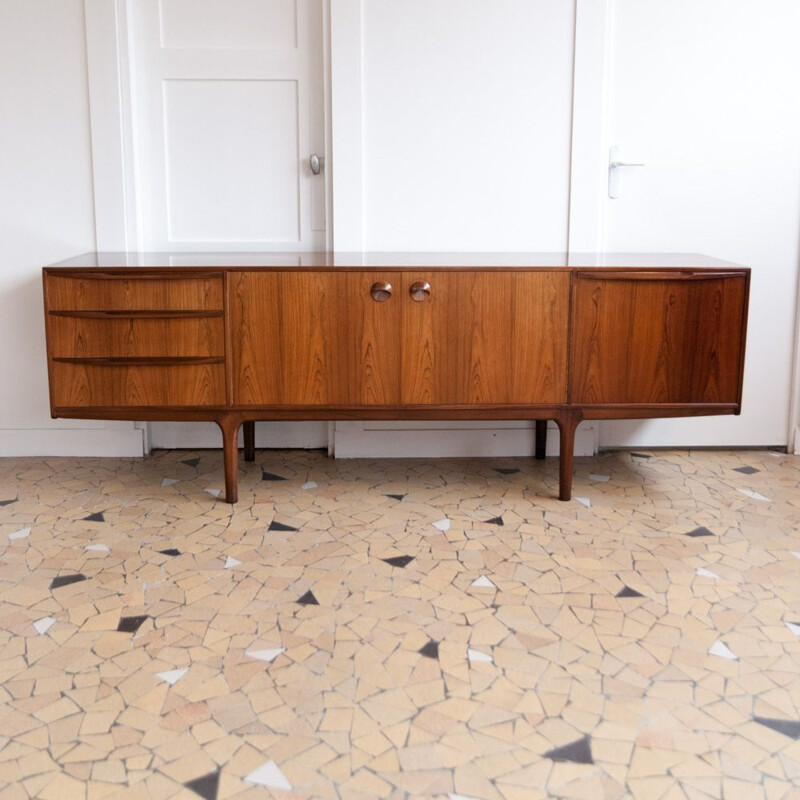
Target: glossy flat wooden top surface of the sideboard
392,261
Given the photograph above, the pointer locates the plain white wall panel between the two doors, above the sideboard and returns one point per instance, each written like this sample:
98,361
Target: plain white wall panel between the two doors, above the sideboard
467,114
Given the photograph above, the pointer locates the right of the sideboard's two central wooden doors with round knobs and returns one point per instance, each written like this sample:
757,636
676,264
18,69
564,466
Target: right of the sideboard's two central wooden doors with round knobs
486,337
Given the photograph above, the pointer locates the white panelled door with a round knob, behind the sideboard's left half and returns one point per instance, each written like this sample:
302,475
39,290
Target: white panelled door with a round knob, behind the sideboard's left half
228,100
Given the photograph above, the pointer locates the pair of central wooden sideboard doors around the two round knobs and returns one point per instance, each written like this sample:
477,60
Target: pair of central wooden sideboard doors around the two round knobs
319,338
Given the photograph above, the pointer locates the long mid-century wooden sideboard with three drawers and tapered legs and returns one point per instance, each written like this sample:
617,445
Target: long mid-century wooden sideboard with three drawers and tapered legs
239,337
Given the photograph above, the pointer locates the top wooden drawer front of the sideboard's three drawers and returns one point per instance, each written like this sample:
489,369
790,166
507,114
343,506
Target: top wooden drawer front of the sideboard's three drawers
124,292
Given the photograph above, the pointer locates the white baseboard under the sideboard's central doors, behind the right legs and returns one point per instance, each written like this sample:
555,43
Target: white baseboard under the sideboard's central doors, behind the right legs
450,439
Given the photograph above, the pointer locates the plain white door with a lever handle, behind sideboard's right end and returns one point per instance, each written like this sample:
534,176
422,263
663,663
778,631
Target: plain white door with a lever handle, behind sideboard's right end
706,95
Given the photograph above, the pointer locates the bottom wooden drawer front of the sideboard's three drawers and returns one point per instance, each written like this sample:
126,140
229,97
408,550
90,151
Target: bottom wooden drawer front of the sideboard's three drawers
89,385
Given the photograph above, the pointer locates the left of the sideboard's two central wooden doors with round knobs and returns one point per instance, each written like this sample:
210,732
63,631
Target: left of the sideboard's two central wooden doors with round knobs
314,338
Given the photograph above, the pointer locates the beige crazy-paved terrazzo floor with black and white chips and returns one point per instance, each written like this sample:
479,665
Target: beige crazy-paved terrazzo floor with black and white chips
401,628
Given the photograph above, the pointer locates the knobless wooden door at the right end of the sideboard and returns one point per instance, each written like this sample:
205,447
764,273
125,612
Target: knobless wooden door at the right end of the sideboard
656,338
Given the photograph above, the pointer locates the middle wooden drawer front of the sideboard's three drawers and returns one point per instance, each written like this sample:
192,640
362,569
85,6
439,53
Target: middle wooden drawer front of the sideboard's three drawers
95,337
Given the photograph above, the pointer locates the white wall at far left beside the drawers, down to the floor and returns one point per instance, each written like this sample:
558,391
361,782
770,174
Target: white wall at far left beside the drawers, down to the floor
46,213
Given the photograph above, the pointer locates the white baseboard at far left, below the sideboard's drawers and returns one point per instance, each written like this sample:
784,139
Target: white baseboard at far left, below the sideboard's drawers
117,440
